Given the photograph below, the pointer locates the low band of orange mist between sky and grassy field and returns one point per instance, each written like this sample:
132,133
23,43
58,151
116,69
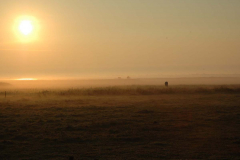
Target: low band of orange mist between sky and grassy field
117,82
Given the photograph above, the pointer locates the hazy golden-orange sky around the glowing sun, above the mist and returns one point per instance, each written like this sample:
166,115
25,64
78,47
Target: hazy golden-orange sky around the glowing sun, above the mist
112,38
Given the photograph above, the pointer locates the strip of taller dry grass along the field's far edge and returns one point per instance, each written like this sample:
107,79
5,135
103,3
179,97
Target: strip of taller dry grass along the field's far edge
128,90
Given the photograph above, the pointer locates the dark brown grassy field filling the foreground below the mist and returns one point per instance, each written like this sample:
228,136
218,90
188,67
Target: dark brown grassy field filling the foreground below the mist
124,122
